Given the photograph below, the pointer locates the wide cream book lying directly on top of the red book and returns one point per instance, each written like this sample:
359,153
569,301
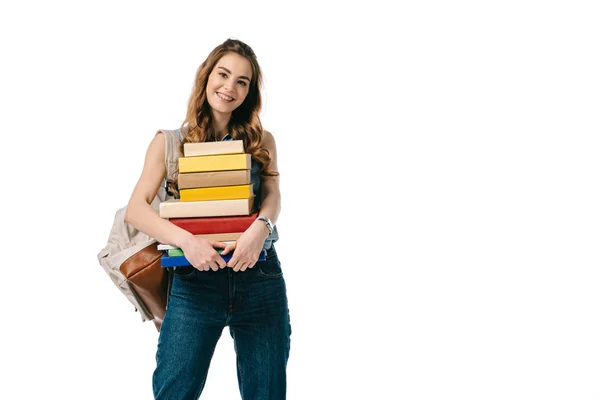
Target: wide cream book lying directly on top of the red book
209,208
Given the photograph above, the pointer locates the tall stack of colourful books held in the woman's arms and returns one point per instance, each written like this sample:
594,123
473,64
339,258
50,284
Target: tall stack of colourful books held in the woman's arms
216,195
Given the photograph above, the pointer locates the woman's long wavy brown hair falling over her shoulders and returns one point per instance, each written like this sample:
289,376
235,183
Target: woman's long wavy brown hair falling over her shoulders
244,123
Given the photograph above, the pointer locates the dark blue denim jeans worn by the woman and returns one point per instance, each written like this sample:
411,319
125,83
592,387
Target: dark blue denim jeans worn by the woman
252,303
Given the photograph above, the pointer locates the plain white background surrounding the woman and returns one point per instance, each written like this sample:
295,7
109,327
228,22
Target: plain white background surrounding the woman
439,169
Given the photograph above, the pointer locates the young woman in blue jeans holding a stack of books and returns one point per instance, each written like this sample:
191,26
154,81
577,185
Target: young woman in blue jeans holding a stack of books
247,295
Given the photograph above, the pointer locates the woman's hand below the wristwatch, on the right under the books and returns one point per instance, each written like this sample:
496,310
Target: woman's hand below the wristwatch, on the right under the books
247,247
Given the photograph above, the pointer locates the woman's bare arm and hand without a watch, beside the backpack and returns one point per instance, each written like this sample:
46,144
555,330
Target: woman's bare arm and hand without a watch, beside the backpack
140,214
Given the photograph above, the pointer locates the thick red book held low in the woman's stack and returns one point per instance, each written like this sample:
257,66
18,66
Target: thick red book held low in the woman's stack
208,225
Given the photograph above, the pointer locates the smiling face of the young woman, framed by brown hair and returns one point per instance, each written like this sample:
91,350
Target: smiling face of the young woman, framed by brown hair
228,83
